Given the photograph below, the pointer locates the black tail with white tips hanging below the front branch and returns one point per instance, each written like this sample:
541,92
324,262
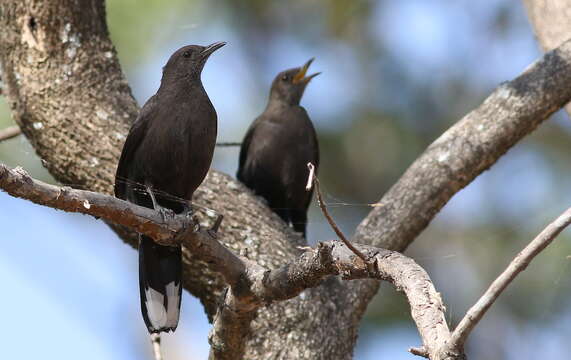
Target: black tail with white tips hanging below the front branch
160,271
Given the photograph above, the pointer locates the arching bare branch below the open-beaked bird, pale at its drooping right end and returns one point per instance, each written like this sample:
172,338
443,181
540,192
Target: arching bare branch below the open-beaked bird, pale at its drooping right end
329,258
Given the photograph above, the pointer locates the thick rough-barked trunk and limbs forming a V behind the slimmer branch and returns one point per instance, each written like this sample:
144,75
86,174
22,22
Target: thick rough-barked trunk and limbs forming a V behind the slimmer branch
66,91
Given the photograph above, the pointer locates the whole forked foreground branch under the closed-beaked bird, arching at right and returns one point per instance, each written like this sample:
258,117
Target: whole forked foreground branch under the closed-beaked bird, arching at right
251,285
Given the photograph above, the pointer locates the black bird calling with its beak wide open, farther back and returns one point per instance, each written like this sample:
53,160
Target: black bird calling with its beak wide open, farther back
277,148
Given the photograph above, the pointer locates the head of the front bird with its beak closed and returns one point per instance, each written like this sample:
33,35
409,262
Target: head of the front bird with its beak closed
188,61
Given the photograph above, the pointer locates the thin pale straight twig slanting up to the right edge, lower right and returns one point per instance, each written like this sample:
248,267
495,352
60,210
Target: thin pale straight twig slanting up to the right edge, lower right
518,264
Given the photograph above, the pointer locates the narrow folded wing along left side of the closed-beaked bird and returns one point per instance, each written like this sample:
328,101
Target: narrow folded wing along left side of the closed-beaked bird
136,135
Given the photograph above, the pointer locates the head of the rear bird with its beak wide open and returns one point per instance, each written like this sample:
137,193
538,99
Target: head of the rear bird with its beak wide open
288,86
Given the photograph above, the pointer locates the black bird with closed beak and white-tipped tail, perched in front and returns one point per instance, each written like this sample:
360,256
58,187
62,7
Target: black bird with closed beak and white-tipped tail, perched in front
165,158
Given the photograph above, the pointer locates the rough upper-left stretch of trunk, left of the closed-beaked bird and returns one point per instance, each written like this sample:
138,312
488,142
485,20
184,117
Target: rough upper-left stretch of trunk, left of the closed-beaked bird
60,50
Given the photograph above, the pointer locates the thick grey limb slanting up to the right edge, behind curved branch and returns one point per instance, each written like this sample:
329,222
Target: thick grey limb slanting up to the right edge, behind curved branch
467,149
